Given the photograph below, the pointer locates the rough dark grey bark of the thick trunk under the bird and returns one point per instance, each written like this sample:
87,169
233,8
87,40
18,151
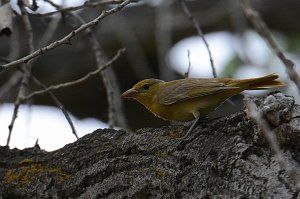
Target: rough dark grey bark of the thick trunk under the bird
225,157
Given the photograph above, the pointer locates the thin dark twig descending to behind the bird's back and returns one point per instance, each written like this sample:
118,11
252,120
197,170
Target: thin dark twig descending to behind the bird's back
200,33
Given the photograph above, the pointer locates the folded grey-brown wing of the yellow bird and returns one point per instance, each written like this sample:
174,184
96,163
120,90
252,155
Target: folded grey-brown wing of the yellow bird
179,90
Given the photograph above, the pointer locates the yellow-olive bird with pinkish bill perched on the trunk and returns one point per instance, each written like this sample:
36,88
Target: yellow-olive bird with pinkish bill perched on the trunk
189,99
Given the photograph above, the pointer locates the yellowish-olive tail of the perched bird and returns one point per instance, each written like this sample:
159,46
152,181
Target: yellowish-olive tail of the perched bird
261,83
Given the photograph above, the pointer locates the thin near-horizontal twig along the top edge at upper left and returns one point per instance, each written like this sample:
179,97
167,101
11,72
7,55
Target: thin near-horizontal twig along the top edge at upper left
87,4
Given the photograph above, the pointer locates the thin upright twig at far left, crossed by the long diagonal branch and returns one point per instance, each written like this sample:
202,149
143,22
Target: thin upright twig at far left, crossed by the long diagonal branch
27,67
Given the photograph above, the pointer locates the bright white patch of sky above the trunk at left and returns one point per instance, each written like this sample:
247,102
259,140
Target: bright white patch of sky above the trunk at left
45,123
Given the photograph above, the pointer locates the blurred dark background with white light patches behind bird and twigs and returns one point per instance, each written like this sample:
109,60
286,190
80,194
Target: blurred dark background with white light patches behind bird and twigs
160,42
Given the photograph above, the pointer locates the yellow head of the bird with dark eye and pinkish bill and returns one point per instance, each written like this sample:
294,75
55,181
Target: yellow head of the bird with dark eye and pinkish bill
143,91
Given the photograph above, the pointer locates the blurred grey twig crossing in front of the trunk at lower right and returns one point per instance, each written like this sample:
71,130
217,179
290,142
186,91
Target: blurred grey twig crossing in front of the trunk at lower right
272,140
